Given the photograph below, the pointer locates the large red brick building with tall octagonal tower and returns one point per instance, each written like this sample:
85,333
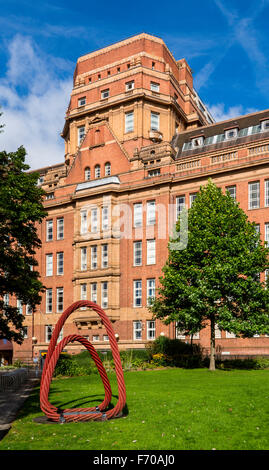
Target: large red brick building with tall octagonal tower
139,143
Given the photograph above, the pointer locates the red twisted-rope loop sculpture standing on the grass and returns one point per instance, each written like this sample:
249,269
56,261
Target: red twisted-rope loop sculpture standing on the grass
82,414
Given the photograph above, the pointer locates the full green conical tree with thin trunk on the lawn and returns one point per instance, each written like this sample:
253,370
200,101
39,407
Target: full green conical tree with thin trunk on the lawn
215,280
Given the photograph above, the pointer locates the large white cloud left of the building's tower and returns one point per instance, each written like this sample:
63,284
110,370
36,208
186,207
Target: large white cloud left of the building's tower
34,100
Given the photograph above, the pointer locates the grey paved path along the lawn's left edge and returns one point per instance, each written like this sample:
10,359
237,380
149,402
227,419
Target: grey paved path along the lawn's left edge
11,402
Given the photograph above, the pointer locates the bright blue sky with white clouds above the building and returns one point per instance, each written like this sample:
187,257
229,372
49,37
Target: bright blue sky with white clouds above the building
224,41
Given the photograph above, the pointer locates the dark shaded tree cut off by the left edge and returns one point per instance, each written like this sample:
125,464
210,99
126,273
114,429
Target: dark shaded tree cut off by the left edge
21,210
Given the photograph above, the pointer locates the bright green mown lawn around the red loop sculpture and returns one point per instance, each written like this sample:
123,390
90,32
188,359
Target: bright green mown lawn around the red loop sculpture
166,409
